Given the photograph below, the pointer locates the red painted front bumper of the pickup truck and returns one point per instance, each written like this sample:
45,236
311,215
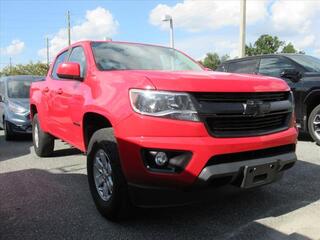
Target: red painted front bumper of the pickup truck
154,133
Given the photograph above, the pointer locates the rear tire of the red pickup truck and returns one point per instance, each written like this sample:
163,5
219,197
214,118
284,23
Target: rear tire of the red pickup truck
45,145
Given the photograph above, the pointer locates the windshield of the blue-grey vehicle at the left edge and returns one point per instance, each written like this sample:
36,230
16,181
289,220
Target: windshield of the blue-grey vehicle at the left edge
19,88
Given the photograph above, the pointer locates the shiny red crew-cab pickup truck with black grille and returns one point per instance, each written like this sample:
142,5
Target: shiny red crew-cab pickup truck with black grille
151,119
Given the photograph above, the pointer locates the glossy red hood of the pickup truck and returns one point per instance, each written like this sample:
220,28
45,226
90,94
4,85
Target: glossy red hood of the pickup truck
209,81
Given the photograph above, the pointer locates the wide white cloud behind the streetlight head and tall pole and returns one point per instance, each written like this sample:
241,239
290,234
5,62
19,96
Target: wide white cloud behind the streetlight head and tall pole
193,15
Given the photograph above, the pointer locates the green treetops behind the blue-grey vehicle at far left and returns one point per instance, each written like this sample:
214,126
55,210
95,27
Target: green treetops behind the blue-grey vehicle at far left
25,69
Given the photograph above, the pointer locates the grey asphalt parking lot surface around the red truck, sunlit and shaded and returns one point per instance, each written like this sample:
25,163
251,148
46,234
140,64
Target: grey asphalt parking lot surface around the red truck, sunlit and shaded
49,199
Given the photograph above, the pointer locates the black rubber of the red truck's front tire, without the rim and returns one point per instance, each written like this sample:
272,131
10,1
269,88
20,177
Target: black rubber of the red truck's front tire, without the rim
118,206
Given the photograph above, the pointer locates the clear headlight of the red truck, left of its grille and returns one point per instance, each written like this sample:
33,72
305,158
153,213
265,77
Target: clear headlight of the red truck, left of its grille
172,105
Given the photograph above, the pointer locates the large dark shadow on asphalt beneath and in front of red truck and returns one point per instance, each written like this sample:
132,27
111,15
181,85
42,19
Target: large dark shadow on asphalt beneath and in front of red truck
37,204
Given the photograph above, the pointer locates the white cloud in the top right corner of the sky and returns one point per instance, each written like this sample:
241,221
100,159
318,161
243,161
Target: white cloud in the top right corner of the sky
294,16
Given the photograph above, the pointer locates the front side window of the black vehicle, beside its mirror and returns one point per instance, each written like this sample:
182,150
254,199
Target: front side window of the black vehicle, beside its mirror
274,66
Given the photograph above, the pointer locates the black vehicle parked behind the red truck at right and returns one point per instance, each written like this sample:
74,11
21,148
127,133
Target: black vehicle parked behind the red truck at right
301,72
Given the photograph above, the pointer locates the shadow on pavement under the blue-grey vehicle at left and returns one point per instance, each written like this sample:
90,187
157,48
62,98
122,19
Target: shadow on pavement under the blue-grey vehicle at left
12,149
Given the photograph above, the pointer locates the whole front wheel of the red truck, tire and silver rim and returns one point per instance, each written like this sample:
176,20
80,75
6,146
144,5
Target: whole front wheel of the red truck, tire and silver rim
107,183
